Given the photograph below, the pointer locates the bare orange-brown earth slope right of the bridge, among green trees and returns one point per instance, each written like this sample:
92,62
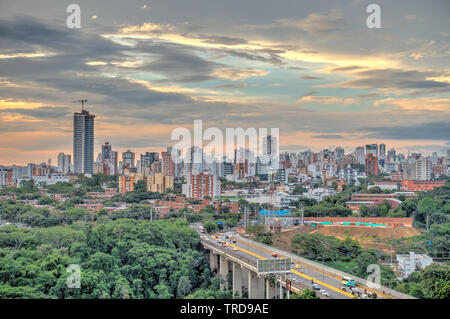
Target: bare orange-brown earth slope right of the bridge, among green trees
368,237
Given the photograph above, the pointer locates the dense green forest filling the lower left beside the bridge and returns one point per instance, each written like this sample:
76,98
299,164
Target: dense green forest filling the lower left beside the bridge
124,258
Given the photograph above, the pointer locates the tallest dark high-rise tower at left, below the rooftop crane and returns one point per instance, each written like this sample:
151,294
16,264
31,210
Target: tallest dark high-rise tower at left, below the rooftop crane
83,142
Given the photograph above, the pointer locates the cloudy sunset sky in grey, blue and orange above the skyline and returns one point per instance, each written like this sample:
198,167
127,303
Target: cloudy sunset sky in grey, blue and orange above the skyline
313,69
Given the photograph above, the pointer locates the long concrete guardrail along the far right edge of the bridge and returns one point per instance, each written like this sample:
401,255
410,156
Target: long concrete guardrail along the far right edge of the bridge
385,290
